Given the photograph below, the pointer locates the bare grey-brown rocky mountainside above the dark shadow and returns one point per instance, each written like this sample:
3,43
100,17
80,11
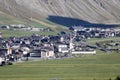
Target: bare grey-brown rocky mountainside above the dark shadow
94,11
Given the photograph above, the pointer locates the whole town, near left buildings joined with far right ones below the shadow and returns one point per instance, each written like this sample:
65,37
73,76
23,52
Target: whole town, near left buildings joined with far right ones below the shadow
45,47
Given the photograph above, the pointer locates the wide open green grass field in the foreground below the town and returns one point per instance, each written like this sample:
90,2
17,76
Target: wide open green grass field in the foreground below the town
97,67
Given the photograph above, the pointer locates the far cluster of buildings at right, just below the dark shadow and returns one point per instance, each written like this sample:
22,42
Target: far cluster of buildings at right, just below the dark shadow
95,32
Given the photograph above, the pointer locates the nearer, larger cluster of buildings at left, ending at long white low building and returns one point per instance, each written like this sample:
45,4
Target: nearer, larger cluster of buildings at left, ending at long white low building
44,47
